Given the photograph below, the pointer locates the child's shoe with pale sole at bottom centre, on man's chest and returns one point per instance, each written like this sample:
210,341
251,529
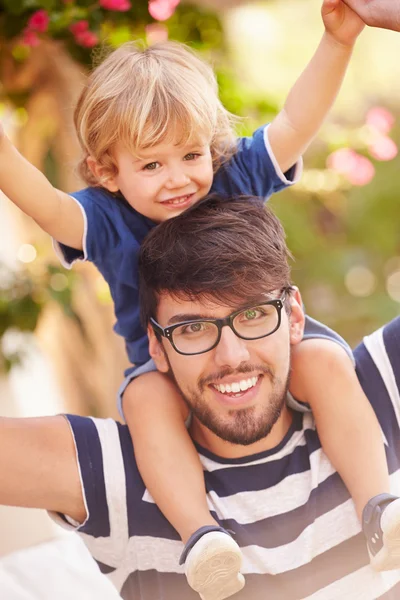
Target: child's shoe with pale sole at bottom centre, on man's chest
212,563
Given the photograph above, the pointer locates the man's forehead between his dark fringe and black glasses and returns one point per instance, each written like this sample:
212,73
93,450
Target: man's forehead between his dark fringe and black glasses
174,308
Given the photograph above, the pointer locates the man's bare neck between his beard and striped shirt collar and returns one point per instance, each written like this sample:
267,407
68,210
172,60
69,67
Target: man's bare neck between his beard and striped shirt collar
209,440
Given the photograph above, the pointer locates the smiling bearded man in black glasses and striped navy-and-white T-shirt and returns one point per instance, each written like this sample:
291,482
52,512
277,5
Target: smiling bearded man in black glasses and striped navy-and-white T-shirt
267,478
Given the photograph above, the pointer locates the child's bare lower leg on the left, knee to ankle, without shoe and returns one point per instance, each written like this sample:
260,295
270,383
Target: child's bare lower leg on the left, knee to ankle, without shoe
167,459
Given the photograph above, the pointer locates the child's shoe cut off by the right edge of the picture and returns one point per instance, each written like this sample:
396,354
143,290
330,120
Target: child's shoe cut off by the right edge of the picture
381,526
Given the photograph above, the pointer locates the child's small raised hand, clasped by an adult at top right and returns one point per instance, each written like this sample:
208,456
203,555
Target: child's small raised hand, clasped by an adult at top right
341,22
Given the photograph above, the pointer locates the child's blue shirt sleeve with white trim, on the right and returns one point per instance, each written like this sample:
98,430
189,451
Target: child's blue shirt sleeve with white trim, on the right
253,169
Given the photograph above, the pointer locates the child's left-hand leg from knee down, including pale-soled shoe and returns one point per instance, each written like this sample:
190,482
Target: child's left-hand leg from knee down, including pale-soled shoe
169,464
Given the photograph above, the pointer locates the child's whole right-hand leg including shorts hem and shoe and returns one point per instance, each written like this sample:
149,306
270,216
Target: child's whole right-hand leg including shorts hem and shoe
351,436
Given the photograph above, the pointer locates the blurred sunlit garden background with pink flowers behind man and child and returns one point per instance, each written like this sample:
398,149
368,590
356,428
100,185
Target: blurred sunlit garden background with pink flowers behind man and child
57,348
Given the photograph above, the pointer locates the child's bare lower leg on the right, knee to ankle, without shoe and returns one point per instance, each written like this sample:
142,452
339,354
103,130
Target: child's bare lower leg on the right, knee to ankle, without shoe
349,431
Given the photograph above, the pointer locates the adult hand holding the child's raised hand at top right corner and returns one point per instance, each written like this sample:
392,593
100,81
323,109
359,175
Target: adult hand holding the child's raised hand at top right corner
377,13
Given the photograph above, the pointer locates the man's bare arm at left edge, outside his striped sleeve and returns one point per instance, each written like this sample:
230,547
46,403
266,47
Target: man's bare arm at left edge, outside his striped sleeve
38,466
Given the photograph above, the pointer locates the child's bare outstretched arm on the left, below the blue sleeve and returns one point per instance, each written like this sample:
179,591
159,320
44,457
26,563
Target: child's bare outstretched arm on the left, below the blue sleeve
54,211
